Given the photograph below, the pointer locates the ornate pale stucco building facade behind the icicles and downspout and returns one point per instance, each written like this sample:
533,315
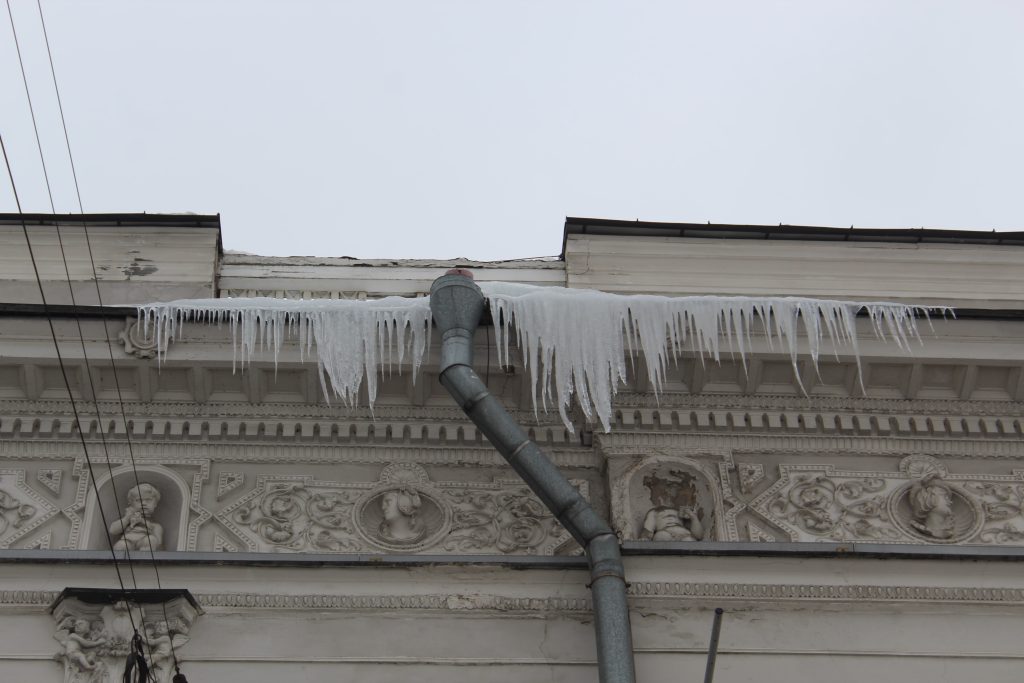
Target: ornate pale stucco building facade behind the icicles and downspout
864,522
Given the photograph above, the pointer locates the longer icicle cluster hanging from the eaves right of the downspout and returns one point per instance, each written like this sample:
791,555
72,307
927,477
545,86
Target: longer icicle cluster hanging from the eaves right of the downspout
573,340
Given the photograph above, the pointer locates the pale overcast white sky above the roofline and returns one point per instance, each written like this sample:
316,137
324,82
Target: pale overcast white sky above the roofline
472,130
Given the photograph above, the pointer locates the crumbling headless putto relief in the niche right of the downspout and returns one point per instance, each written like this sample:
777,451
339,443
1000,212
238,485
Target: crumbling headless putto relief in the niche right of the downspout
674,517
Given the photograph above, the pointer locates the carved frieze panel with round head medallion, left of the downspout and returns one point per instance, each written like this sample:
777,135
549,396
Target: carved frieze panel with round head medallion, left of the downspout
403,513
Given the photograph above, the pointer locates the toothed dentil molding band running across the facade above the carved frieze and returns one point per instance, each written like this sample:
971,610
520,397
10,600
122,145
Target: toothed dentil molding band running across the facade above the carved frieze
280,424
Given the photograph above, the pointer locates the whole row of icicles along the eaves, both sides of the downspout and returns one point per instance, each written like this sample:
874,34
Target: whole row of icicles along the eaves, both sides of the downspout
574,343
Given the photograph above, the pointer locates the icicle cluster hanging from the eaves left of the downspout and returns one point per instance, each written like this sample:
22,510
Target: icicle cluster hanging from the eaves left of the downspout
352,338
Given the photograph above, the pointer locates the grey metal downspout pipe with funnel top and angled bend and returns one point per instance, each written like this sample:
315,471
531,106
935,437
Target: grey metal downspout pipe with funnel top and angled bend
457,305
